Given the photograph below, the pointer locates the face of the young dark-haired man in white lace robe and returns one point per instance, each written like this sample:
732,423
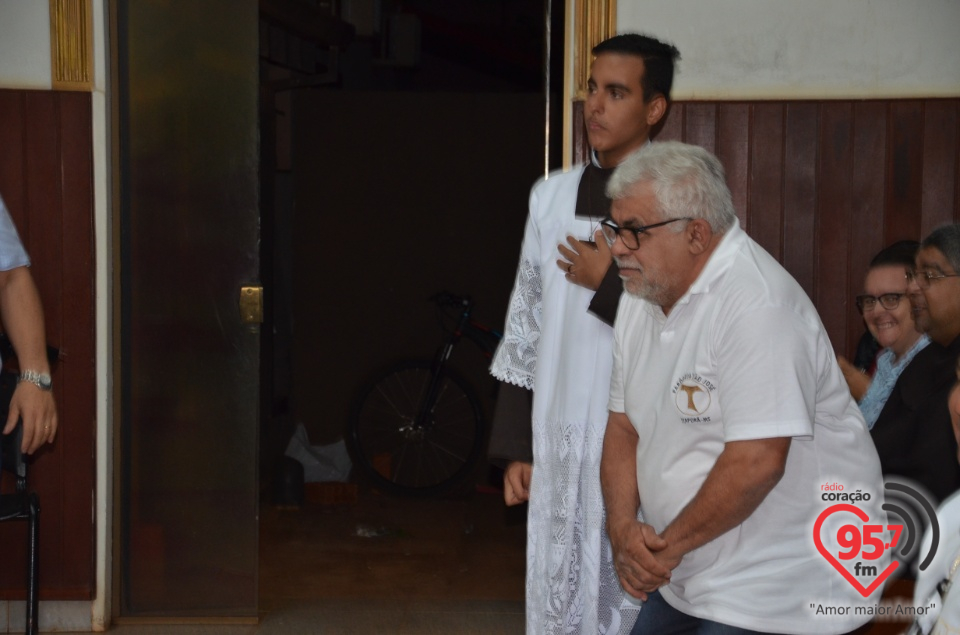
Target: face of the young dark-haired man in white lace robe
617,119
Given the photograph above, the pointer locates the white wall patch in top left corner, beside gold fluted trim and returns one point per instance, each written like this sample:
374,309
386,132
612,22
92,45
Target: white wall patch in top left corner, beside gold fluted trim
25,44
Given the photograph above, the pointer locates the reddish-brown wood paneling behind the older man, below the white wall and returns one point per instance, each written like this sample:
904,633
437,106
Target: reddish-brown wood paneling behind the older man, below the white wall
824,185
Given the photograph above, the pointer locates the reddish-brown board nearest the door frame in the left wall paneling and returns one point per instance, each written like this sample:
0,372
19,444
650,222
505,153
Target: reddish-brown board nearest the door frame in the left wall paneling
77,392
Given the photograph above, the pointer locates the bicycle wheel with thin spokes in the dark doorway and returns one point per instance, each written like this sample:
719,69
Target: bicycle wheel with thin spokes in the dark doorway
402,455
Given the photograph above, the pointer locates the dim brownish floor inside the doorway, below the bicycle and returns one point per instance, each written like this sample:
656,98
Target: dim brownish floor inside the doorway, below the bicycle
392,549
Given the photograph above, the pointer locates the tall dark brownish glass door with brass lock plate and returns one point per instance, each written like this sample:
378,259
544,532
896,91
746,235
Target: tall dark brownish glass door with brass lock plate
189,231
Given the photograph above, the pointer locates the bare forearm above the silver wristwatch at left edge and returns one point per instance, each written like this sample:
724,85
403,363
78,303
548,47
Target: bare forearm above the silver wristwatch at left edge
22,316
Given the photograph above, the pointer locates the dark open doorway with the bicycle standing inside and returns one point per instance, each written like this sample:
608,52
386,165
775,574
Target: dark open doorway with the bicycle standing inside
399,141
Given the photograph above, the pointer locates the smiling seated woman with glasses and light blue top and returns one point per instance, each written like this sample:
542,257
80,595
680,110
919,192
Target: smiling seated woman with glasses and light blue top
885,308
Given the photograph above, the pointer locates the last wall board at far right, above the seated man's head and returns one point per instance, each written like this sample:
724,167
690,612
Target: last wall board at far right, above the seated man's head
938,185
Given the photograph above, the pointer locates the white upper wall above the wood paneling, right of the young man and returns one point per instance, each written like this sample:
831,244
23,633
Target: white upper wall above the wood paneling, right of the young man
784,49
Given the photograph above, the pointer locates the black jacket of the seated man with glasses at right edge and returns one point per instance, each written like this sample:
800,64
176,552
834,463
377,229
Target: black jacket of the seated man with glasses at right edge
913,435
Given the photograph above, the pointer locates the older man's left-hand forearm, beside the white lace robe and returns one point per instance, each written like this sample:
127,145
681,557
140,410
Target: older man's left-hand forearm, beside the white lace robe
618,471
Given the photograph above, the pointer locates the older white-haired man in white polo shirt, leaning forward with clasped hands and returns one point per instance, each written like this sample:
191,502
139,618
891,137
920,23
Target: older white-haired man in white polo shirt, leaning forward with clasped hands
729,418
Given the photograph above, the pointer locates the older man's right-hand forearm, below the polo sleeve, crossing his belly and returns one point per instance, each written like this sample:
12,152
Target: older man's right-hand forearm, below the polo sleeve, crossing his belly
745,472
